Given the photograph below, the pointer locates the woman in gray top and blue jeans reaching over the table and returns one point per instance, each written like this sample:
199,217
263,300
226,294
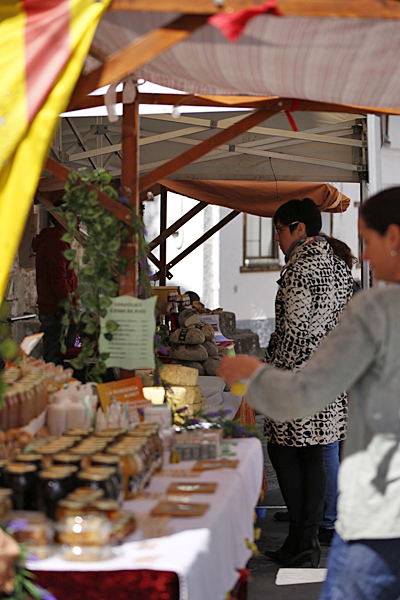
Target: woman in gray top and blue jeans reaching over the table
362,355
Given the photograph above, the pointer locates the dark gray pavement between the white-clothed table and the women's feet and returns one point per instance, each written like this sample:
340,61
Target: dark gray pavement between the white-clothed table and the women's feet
263,571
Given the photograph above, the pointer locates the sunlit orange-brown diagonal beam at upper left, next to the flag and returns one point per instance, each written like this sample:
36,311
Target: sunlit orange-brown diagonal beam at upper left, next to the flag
135,55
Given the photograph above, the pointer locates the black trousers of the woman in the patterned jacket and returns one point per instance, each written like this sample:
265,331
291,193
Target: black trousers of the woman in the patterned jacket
302,480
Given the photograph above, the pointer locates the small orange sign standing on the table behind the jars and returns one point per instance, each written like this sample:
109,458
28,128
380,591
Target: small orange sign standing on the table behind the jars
126,390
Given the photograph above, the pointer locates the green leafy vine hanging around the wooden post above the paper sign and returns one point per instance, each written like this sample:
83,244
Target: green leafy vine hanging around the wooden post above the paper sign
102,263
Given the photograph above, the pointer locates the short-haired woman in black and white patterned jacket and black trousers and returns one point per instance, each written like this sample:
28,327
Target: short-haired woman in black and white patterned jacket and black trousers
314,287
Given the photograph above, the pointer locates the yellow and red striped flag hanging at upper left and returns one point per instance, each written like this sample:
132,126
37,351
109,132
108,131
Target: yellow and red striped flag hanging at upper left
43,44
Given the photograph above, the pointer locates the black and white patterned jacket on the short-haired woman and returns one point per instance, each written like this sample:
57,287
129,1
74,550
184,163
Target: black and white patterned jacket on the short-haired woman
314,287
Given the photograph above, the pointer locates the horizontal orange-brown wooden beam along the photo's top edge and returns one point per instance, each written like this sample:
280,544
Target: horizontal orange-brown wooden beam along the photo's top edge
369,9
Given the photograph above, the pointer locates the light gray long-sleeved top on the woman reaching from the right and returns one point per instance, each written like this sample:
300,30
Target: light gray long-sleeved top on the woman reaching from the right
362,355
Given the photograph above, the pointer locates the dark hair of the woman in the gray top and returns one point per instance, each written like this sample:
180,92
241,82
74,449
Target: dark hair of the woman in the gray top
382,210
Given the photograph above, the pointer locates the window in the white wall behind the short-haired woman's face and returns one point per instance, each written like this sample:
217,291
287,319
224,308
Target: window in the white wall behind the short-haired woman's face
260,250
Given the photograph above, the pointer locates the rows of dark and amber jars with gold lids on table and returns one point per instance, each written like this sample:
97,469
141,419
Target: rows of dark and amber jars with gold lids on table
114,464
